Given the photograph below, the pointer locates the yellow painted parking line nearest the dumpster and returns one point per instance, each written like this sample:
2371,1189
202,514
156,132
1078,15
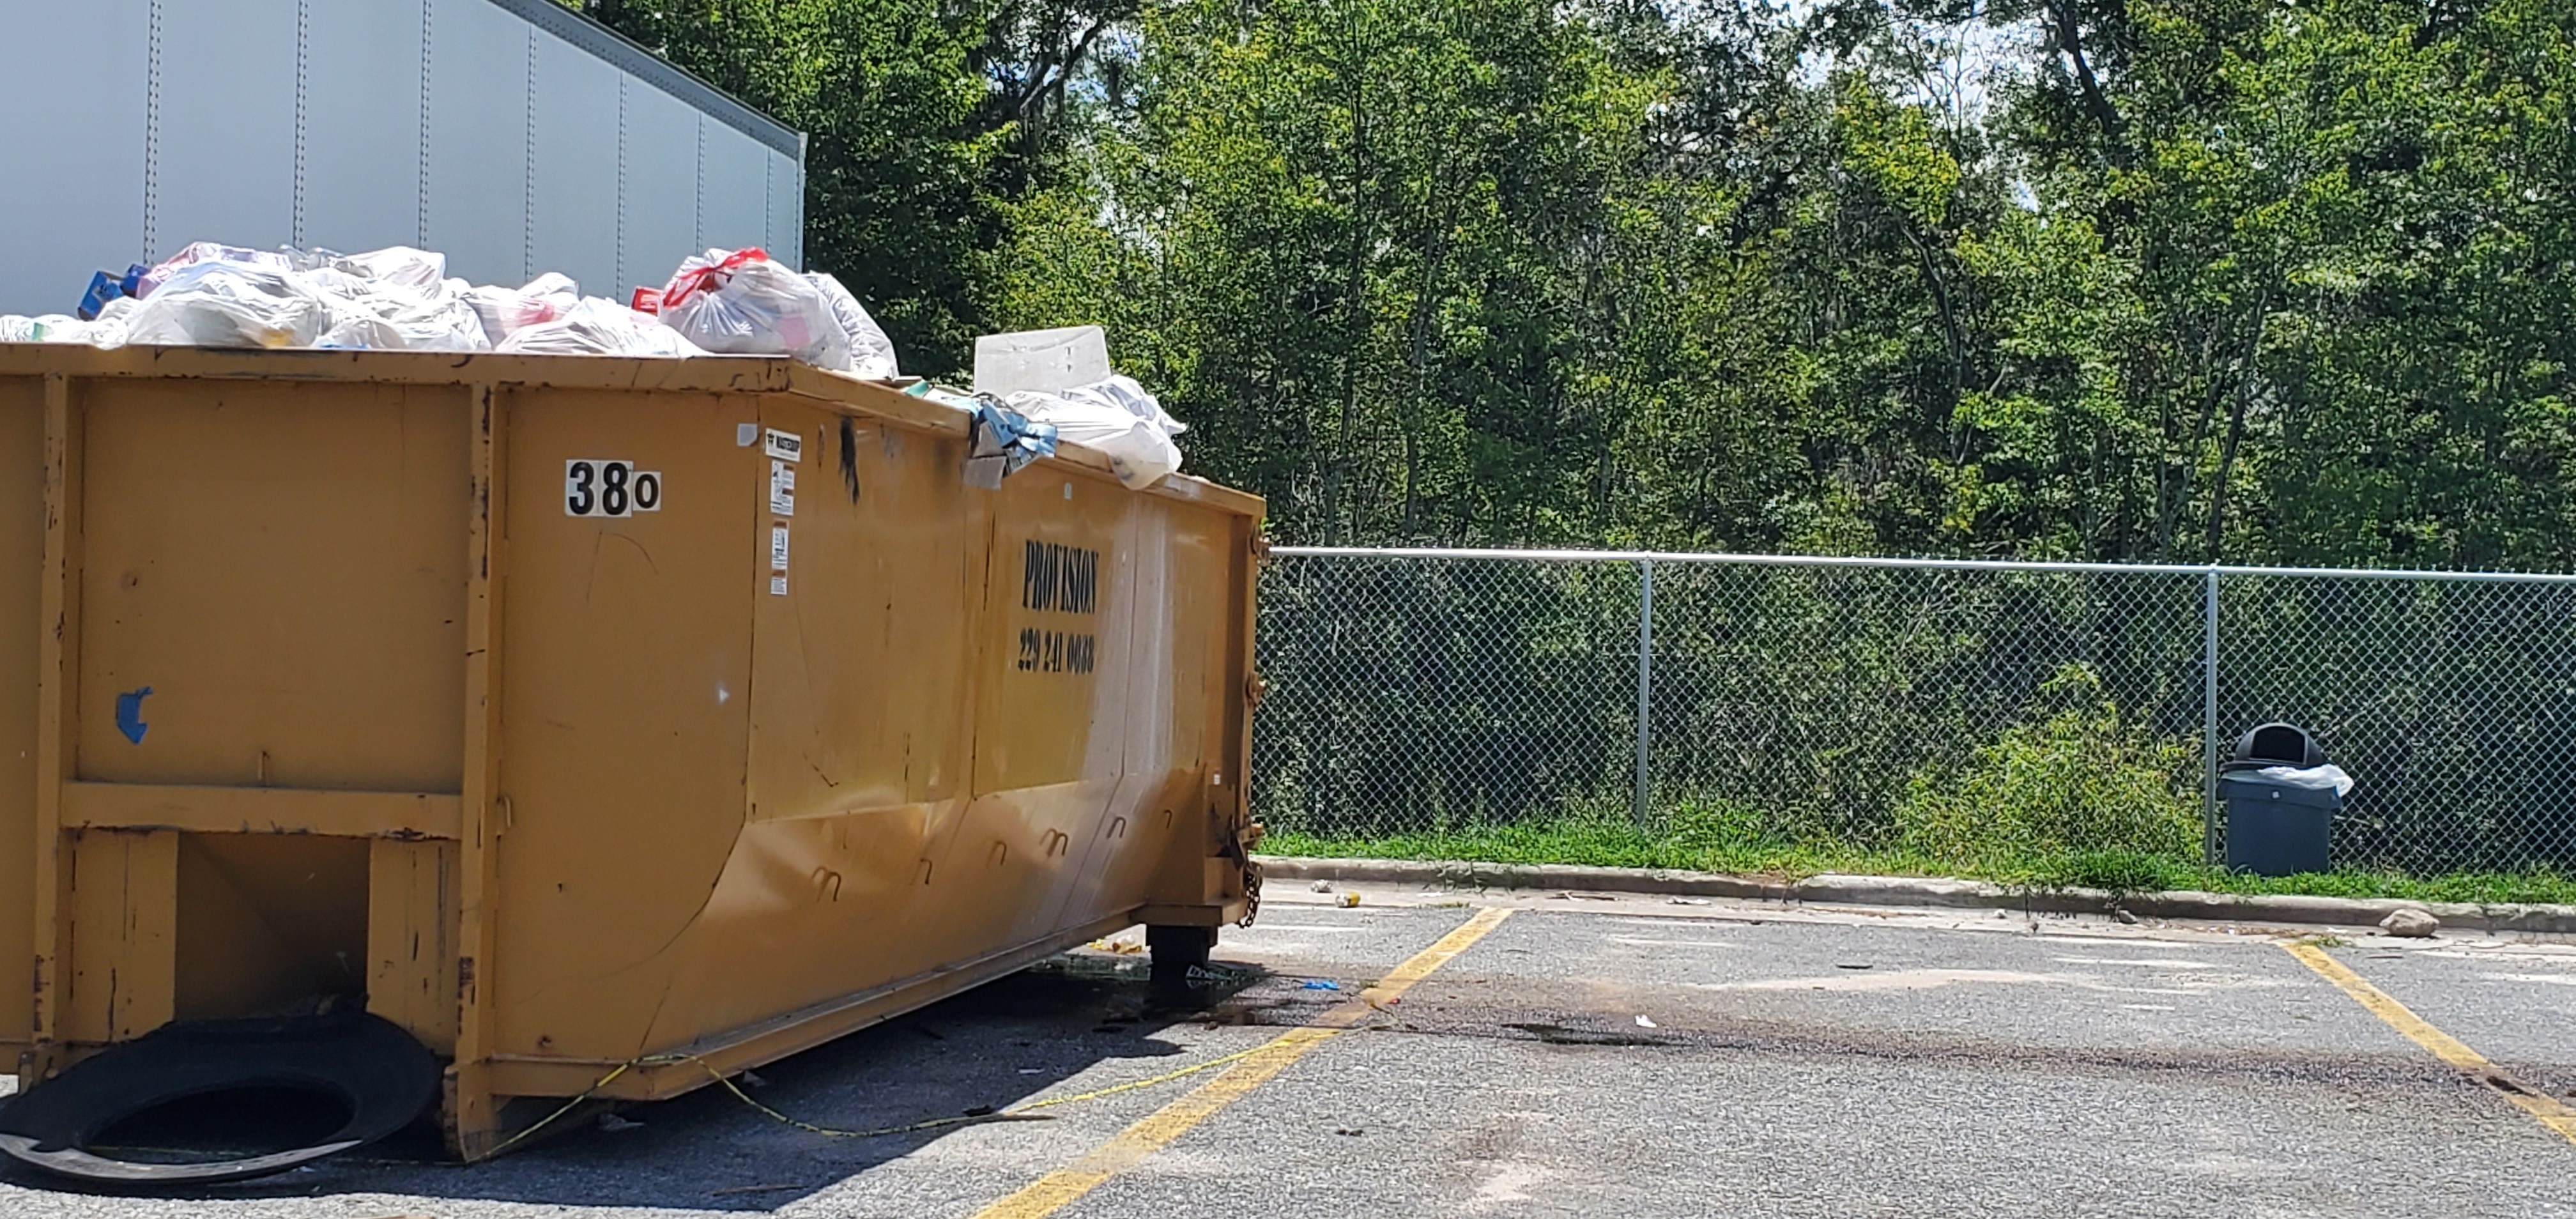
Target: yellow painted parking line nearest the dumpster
1057,1189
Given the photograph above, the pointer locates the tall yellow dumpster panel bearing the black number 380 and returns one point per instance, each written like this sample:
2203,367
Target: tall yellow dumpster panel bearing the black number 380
625,710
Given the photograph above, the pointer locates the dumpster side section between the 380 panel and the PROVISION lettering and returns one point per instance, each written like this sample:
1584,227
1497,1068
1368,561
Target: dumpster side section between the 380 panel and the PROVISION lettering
859,731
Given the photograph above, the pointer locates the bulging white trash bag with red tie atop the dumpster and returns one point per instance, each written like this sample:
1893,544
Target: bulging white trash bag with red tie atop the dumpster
743,303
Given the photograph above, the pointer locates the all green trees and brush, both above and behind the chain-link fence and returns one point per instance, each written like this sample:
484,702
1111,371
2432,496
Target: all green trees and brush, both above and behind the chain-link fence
2258,282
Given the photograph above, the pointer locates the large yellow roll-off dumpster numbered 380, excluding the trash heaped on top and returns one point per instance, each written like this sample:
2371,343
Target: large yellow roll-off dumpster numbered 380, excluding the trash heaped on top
607,725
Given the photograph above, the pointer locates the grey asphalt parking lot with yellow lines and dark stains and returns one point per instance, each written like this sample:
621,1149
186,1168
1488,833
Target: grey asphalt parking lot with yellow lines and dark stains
1611,1058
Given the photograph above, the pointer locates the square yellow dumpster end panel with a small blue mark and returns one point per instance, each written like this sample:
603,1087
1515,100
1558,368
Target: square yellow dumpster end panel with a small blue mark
272,586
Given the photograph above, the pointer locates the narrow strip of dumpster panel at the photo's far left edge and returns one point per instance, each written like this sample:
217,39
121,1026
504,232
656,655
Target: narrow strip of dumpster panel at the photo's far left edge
22,581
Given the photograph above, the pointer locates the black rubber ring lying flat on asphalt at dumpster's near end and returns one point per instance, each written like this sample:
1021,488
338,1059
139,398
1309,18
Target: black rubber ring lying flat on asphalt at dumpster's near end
362,1063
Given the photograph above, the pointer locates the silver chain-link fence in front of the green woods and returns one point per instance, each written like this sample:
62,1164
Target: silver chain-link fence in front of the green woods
1959,710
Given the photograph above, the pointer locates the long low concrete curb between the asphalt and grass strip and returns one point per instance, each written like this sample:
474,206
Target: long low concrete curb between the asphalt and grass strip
1923,893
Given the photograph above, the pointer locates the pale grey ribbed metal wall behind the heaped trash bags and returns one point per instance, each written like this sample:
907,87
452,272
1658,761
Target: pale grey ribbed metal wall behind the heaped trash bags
511,135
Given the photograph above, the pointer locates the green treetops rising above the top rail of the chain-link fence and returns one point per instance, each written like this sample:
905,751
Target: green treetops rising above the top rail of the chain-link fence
2116,280
